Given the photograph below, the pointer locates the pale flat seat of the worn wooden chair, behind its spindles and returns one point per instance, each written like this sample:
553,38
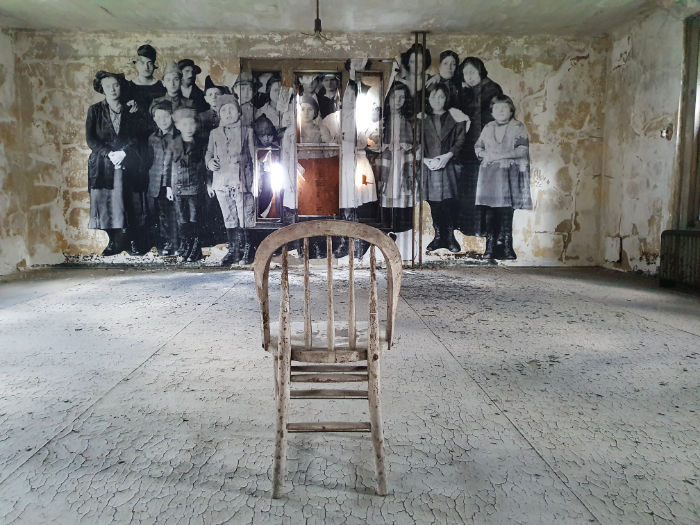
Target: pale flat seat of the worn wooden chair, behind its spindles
319,352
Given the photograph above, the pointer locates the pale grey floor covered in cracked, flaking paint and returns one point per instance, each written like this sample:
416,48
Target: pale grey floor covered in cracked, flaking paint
511,396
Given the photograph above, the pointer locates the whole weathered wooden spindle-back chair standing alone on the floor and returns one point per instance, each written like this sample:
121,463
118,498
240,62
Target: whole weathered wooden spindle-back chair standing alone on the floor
340,343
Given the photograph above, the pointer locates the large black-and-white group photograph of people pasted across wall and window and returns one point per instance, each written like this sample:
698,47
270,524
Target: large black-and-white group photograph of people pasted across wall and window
174,167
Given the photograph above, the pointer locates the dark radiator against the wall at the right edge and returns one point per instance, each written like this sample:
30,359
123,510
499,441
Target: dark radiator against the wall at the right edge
680,258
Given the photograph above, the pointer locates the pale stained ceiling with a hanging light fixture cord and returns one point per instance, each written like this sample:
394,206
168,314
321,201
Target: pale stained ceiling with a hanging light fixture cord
515,17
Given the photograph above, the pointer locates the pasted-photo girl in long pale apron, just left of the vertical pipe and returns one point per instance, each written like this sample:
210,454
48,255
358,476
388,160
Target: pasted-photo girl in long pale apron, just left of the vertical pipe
395,161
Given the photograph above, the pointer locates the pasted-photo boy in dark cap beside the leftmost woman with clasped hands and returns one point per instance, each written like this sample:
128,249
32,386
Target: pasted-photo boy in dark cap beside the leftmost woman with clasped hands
159,192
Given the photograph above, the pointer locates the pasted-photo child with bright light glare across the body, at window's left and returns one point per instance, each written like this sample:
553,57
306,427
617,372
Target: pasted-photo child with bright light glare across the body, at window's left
267,154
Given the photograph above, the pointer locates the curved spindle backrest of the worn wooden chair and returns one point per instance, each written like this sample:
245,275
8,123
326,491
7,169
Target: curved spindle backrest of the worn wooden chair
328,229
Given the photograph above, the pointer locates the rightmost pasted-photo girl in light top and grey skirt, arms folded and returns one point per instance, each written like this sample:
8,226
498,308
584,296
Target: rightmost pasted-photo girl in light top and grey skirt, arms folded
504,176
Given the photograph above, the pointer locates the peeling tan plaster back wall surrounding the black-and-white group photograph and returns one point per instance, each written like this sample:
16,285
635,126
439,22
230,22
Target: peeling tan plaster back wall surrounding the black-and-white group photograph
556,84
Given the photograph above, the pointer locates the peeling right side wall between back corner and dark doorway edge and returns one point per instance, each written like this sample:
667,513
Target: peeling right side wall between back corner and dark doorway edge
642,99
